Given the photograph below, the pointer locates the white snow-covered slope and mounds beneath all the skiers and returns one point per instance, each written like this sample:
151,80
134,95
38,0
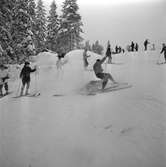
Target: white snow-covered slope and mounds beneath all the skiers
125,128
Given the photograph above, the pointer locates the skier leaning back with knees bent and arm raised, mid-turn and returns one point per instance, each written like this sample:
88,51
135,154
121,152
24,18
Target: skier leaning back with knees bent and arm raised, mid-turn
97,67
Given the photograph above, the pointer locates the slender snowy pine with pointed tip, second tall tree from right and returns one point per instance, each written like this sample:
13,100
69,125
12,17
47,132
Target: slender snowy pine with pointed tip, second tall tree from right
52,28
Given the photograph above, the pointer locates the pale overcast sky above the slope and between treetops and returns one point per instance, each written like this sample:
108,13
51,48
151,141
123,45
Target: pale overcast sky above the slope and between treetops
121,21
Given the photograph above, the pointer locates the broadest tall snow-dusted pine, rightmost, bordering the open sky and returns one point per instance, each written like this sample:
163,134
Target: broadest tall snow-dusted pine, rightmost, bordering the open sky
70,30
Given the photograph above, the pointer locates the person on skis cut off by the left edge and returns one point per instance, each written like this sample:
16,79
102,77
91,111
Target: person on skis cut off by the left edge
4,75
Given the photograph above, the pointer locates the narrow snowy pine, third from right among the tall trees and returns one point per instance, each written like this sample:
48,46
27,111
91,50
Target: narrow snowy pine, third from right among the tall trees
40,26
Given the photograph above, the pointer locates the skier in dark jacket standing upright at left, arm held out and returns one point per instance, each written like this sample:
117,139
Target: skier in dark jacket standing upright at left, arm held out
25,76
